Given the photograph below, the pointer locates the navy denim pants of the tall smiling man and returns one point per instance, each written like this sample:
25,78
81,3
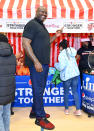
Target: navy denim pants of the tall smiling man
38,86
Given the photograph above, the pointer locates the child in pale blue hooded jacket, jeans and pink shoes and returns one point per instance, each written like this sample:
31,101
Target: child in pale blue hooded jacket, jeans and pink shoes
69,74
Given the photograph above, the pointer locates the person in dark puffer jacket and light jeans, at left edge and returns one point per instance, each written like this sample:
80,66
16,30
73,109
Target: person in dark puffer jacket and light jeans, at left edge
7,82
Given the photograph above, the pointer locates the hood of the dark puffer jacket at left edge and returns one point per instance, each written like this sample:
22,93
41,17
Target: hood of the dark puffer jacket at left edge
5,49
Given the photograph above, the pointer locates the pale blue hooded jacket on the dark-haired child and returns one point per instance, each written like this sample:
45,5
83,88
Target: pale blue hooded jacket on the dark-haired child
67,64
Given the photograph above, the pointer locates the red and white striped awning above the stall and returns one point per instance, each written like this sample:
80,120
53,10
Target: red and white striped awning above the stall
68,9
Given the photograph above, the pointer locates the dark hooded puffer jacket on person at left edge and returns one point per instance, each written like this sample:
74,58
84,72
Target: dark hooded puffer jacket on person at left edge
7,74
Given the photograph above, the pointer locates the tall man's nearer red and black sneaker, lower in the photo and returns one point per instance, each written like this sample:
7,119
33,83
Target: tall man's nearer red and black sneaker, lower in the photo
44,123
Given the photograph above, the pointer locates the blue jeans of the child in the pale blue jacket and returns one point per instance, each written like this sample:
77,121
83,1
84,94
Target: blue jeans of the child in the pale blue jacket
73,83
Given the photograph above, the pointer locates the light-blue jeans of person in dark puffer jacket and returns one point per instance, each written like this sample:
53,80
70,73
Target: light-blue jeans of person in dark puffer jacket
5,117
